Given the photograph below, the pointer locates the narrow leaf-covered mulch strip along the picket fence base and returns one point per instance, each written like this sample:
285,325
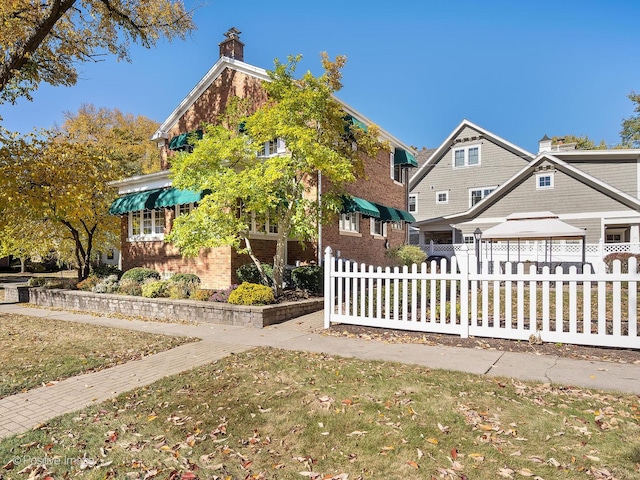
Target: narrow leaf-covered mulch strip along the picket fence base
579,352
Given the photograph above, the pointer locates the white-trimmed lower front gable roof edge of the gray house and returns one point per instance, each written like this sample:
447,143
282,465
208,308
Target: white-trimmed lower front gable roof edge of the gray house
529,169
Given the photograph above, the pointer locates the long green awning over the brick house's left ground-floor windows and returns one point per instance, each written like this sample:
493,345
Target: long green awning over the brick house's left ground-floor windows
154,200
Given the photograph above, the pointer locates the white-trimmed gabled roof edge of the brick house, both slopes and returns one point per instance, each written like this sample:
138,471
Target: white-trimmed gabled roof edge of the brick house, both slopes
261,74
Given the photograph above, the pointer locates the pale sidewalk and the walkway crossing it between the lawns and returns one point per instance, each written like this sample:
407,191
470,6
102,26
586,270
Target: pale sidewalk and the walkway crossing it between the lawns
24,411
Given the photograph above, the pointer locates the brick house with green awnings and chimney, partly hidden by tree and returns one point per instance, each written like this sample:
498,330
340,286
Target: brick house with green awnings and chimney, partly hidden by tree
374,220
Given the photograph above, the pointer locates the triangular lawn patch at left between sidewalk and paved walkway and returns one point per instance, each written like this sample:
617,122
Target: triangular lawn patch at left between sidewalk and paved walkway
35,351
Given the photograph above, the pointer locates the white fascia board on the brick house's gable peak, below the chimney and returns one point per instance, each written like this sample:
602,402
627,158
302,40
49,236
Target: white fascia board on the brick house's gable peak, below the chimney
206,81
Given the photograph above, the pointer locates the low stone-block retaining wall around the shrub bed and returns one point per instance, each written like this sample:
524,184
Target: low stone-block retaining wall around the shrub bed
163,308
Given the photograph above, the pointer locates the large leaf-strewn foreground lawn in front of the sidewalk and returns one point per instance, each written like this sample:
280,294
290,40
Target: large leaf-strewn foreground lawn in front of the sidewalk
277,414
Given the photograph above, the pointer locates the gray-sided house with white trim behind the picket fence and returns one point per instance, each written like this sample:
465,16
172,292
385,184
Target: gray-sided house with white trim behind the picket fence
476,179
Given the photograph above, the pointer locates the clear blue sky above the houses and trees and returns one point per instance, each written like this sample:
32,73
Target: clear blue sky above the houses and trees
417,68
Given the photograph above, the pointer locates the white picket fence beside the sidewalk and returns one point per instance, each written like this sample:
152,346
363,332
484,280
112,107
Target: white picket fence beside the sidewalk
587,308
